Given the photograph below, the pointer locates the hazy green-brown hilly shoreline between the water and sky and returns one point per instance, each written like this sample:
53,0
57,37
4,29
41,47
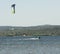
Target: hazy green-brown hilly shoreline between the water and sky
43,30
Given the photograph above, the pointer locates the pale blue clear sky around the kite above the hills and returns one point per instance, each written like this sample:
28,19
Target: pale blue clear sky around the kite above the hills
30,12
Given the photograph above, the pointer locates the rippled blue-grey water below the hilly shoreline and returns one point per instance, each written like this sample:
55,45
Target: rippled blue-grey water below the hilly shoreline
26,45
